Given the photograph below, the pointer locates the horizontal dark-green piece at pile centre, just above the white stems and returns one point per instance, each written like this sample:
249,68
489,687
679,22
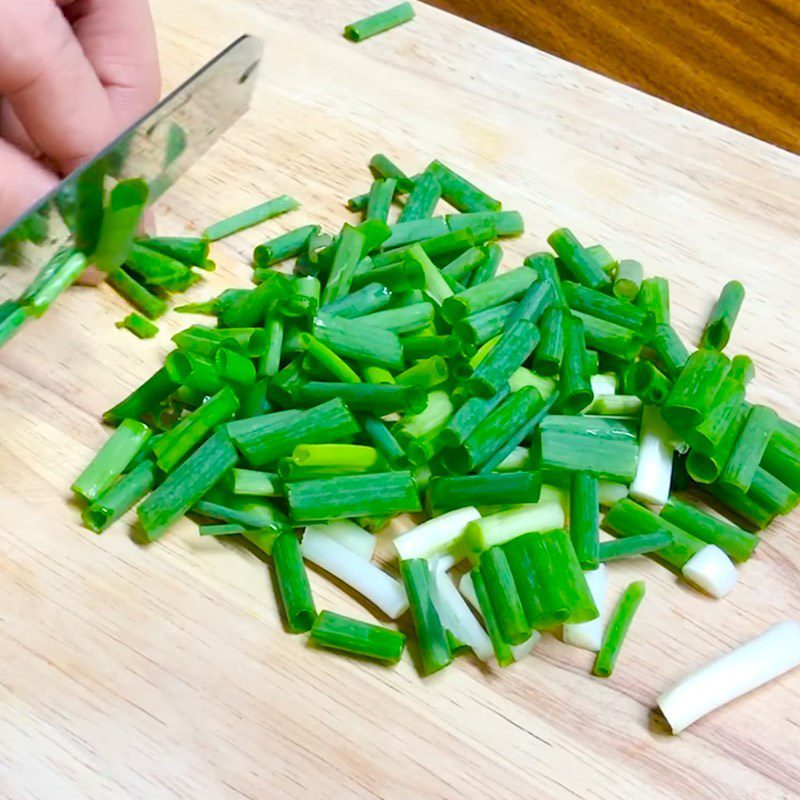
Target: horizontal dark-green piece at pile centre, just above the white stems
450,493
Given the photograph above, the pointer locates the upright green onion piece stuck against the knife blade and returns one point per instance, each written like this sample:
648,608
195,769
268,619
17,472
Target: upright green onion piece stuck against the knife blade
121,217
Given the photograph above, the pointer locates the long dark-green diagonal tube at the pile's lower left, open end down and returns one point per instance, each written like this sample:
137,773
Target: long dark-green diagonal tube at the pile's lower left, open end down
186,485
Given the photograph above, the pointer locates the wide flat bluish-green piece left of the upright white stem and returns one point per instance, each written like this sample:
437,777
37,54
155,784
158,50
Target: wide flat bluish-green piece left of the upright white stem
605,448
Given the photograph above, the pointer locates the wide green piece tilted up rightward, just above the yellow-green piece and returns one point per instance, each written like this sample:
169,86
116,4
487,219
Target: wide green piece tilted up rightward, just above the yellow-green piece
264,439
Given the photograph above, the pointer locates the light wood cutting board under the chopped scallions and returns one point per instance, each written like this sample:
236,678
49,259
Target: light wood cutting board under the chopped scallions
164,672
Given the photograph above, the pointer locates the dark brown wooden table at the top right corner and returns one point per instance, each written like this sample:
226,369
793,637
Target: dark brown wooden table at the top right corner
736,61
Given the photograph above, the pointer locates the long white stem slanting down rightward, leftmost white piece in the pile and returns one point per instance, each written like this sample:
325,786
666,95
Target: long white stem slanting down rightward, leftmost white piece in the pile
383,590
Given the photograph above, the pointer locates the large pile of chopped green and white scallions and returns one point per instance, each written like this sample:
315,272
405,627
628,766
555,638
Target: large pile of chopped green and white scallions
397,369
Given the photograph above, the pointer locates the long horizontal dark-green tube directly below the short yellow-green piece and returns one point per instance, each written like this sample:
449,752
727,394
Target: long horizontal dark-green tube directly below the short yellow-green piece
374,494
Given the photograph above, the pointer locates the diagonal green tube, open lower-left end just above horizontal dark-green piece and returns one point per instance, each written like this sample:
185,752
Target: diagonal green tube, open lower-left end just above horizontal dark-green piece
493,431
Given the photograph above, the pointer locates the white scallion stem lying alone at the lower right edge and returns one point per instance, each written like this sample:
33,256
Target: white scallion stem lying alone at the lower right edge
749,666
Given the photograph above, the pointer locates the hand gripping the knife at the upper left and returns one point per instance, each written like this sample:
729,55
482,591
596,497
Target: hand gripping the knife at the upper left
73,75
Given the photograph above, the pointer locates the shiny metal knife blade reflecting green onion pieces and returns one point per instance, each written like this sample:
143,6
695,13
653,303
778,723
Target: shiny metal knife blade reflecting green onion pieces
158,149
